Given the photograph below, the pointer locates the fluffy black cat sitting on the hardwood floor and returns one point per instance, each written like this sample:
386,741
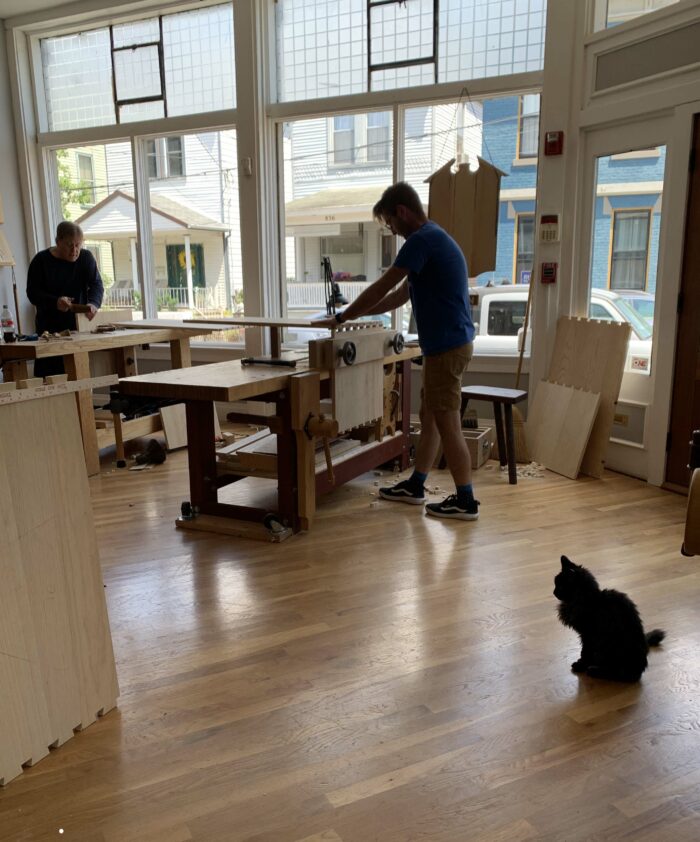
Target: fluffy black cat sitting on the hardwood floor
613,642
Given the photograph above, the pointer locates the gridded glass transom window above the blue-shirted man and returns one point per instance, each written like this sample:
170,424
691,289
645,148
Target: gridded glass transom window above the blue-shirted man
322,46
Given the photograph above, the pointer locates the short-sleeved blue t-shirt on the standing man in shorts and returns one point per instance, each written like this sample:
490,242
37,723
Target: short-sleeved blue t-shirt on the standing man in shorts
438,285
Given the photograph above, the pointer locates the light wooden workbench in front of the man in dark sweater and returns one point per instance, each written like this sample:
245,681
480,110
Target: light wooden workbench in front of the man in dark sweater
122,345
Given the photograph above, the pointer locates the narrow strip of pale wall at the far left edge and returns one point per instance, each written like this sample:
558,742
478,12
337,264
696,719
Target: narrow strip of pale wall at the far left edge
13,228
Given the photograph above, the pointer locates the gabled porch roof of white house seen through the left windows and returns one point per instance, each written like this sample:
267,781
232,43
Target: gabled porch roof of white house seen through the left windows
115,217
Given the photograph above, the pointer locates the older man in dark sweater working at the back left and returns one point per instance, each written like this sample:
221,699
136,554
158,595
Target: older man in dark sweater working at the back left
59,277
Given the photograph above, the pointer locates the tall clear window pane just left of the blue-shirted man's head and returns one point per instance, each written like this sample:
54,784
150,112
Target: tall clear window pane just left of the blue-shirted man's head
329,196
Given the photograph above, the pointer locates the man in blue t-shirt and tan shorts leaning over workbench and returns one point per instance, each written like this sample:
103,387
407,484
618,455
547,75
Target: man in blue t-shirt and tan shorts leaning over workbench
430,269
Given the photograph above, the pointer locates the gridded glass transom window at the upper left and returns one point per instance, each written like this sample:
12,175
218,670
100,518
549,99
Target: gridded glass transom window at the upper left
162,66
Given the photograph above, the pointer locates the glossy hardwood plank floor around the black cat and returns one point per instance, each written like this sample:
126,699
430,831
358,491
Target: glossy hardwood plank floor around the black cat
386,677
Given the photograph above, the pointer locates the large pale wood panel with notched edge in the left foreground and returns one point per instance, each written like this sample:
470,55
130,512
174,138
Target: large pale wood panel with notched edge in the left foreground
64,626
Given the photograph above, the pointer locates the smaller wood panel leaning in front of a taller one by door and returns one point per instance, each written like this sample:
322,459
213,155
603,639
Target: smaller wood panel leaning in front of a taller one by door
559,425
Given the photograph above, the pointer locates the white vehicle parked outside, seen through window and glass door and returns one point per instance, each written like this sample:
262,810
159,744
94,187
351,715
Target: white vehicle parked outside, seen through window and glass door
499,315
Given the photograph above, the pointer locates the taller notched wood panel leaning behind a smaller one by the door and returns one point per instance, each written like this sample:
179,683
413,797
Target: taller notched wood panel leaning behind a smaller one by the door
590,355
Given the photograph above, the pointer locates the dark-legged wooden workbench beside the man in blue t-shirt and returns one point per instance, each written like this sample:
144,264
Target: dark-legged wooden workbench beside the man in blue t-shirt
292,391
